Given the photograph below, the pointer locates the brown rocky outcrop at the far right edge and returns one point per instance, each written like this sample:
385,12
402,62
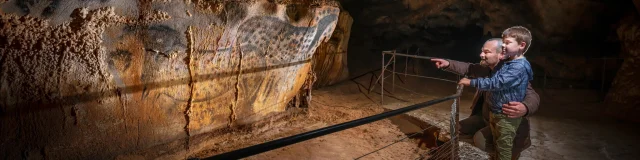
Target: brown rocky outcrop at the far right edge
623,100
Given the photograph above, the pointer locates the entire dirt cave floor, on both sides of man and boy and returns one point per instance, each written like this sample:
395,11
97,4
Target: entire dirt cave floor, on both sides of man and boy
566,126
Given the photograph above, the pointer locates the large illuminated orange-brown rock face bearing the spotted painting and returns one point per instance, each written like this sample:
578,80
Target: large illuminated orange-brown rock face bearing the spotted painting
95,79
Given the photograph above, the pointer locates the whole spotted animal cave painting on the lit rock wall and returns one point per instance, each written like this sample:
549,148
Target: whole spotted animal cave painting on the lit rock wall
260,70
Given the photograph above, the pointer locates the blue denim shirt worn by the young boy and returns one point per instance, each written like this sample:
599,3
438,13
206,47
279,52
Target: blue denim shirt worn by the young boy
508,84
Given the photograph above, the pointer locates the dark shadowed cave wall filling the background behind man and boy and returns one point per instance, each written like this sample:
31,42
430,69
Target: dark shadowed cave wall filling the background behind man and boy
569,39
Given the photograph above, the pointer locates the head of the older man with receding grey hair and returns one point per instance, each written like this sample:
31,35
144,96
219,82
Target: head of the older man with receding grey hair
491,52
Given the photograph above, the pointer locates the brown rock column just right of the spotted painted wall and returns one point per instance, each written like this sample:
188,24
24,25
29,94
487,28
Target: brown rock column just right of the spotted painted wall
330,59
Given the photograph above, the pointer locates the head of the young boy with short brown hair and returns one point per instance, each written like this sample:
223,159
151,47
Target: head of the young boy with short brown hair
517,40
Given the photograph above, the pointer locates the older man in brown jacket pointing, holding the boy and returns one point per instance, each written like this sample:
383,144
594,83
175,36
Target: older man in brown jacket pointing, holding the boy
477,123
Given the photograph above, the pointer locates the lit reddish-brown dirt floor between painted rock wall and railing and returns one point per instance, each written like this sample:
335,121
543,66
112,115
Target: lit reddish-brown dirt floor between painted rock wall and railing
329,106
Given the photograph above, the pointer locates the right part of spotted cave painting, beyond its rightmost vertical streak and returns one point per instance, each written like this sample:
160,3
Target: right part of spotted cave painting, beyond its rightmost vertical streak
276,45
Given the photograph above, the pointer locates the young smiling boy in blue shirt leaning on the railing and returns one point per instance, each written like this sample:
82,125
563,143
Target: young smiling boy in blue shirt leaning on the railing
509,83
